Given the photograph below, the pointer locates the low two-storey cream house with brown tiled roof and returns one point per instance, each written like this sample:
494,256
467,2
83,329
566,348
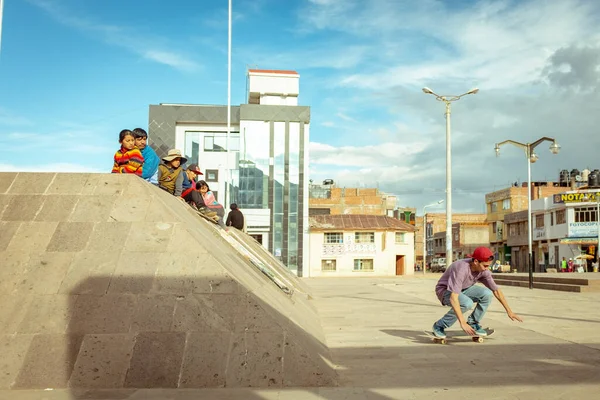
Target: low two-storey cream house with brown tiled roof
360,245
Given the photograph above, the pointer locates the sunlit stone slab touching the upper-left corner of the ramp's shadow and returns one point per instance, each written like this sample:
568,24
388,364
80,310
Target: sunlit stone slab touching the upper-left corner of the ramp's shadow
45,273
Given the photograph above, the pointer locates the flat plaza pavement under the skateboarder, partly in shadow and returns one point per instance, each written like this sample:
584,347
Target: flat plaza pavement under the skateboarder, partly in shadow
374,328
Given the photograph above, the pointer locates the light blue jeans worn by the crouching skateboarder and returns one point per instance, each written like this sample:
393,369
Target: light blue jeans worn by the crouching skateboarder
474,294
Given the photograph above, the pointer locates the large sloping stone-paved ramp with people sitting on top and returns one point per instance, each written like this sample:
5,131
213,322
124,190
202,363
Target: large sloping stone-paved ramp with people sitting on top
109,282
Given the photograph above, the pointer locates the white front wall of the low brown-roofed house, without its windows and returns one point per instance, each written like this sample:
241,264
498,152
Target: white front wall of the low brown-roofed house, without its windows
384,260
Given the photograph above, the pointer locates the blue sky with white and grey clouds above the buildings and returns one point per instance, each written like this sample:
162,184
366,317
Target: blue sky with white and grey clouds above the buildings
73,73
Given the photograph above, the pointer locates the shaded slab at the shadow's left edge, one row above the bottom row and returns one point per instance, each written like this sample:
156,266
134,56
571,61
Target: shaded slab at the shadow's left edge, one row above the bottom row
102,314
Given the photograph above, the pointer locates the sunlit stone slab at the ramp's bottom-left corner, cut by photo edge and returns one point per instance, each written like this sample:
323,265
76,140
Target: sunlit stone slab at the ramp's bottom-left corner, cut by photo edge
13,349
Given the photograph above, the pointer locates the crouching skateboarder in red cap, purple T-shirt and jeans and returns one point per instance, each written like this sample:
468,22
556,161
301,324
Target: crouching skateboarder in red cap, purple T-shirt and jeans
457,288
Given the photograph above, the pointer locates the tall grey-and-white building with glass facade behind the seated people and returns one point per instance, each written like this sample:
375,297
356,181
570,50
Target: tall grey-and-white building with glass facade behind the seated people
260,162
